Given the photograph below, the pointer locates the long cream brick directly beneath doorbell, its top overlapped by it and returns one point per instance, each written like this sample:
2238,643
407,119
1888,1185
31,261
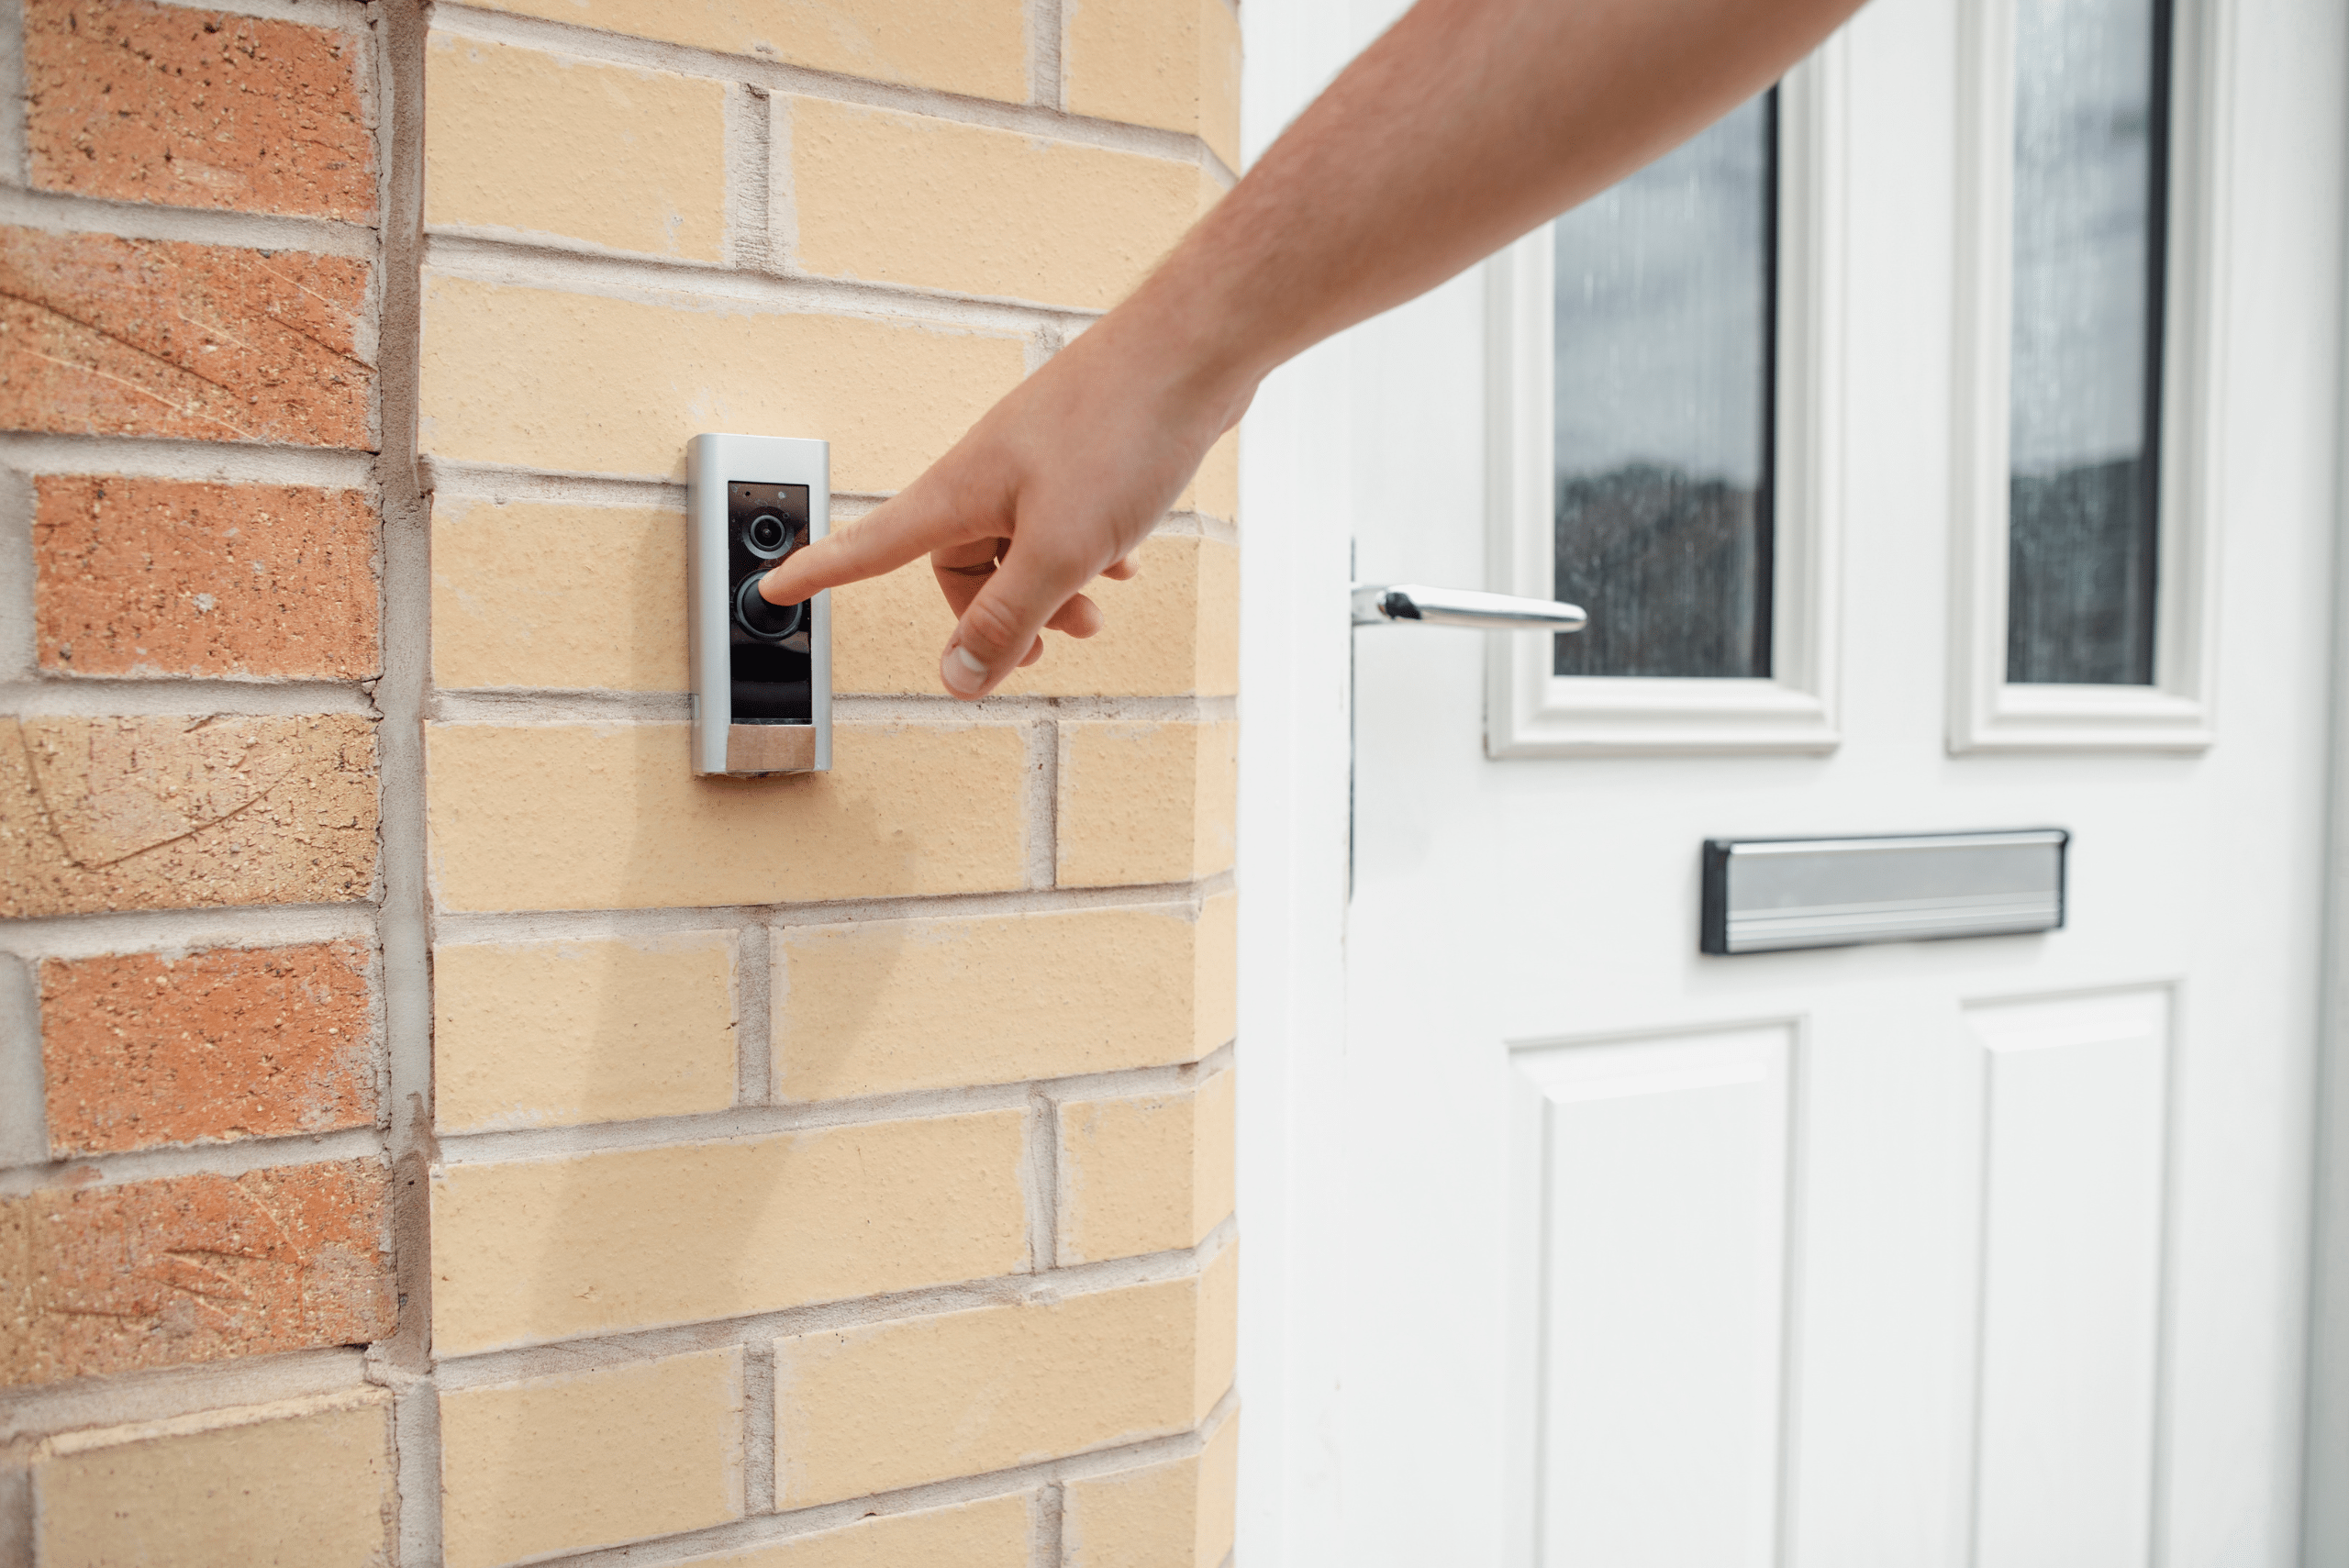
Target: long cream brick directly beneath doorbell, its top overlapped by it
612,818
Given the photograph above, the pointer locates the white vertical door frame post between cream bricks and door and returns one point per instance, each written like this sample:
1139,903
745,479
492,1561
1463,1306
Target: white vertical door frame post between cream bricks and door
1295,764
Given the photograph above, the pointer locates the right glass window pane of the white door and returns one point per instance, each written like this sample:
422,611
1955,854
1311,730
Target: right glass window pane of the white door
2087,342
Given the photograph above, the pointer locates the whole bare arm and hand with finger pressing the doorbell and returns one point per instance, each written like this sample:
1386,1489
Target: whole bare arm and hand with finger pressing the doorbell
1462,128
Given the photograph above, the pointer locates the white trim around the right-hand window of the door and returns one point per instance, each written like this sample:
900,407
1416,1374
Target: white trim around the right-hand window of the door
2176,712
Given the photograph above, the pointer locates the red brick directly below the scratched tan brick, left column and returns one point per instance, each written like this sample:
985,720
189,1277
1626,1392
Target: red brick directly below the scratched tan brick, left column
217,1046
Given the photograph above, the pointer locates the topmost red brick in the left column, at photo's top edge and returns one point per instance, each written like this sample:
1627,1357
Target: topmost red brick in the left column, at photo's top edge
196,109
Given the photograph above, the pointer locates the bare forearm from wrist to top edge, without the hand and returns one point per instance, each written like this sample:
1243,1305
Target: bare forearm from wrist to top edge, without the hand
1460,130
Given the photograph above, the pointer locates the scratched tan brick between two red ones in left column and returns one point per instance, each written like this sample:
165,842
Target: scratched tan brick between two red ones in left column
184,813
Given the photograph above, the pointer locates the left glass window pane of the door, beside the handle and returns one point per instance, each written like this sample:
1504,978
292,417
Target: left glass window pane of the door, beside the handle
1664,323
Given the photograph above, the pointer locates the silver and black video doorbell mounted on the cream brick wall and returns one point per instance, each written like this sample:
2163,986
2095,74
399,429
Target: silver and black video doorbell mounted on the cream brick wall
793,736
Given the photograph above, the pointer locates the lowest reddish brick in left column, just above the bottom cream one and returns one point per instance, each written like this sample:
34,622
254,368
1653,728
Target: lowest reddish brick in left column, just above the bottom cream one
194,1269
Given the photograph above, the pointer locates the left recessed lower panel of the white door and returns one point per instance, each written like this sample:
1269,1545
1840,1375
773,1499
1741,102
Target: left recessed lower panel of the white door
1657,1175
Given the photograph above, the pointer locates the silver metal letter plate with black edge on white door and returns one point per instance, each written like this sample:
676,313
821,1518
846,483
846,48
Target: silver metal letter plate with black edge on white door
1765,895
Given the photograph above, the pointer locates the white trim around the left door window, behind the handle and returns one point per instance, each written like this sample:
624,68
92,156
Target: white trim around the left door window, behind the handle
1533,712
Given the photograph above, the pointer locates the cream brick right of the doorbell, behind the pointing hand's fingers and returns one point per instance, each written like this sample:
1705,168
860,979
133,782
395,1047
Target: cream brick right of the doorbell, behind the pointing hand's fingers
1173,630
